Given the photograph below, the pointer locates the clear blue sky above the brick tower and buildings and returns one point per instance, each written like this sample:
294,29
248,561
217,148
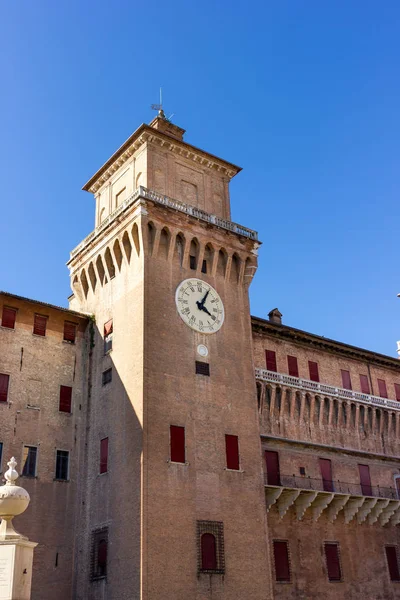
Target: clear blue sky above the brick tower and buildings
304,96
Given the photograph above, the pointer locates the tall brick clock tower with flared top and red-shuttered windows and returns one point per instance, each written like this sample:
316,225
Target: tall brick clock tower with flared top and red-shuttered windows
172,500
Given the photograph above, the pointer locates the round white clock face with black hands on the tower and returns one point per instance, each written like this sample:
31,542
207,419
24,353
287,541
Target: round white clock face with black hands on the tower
199,305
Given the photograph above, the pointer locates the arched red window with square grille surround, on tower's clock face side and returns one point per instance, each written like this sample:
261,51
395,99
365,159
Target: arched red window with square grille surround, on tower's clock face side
210,547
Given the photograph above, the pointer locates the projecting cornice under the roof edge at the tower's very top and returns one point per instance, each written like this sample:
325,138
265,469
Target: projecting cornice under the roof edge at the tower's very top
145,133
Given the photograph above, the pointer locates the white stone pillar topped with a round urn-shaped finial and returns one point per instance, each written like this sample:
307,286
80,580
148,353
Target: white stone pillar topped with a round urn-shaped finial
16,551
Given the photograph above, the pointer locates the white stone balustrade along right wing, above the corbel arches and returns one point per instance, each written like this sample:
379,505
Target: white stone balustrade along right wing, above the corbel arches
321,388
